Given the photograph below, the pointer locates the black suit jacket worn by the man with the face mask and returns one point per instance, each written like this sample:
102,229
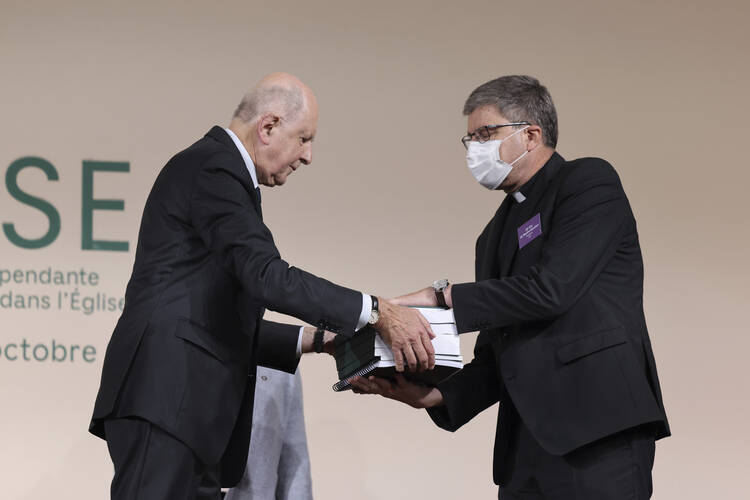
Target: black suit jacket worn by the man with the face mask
563,341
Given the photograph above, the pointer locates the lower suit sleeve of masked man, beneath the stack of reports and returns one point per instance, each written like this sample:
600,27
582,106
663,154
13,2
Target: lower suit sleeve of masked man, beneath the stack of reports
469,391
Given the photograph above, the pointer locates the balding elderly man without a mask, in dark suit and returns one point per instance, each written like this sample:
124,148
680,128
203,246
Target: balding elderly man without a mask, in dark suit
175,400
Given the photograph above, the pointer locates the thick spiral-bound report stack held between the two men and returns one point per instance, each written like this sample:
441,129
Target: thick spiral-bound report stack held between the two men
366,353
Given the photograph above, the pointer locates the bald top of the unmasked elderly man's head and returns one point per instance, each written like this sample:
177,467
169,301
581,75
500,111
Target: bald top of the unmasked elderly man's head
279,94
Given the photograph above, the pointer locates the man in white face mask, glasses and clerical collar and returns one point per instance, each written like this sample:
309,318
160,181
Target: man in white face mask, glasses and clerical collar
558,301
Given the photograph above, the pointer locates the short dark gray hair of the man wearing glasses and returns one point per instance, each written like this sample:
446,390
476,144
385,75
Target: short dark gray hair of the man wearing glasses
519,98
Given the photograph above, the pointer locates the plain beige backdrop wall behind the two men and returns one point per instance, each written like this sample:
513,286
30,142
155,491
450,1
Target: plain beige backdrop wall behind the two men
657,88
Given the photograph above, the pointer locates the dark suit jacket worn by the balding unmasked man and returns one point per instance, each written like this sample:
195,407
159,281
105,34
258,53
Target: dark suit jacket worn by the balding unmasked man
183,353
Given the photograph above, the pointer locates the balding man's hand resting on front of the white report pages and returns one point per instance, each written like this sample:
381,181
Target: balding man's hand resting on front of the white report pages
408,334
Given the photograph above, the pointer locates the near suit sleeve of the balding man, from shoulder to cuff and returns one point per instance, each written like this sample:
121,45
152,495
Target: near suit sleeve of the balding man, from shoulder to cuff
223,213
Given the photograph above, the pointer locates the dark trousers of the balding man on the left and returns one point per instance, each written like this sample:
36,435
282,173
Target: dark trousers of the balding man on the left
151,464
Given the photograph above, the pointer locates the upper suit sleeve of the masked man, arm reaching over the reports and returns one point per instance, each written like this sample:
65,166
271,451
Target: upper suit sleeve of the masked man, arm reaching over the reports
587,225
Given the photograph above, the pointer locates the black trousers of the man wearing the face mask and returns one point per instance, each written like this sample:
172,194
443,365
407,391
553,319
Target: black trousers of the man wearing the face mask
617,467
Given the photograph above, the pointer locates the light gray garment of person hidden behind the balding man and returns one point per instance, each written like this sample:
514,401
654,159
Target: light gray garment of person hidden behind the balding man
278,464
